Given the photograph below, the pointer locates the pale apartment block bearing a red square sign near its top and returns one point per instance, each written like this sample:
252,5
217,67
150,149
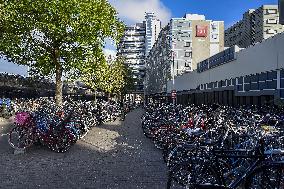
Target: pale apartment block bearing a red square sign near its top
193,39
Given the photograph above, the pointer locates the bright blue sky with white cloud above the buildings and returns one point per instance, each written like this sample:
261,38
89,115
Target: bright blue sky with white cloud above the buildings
132,11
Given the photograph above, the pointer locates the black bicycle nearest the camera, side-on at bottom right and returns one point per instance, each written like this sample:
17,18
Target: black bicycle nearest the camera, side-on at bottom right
261,171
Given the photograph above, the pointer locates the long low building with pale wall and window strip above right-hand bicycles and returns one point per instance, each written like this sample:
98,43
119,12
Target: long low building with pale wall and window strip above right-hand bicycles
241,76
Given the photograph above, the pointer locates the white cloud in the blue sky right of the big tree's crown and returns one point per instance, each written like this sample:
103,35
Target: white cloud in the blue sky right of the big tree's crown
133,11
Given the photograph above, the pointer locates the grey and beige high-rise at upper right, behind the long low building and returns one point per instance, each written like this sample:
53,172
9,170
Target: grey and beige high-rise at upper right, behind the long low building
255,26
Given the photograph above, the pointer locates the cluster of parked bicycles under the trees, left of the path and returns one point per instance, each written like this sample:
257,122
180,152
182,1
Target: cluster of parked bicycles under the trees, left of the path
40,121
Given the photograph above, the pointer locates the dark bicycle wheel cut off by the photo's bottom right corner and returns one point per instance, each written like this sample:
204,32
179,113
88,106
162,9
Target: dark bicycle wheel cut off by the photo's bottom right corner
266,177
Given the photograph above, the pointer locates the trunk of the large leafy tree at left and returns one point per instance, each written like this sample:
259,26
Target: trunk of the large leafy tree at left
58,90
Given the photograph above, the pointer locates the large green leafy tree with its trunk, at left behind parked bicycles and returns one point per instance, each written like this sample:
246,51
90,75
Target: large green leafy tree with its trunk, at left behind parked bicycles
56,36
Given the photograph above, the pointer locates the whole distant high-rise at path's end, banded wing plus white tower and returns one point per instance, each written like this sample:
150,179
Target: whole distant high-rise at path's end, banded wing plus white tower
136,44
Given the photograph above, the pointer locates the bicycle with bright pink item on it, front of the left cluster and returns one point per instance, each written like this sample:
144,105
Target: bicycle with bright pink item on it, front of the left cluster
57,137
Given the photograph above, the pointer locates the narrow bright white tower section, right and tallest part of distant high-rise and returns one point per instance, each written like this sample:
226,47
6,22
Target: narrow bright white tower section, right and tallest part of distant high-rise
153,28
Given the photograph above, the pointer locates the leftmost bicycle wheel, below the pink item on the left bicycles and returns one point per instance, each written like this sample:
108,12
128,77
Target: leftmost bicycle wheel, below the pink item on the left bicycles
20,138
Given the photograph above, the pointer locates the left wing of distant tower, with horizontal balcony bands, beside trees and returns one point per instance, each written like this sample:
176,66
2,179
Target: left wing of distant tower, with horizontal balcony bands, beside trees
132,47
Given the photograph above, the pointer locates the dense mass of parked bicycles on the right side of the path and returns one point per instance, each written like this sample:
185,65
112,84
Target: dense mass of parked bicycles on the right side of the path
219,146
